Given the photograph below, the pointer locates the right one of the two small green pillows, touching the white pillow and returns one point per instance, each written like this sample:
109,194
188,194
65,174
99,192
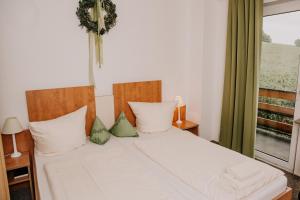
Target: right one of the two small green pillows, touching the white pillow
123,128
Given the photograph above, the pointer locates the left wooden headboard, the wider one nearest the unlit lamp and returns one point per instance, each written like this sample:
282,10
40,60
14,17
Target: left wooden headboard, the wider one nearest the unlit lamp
52,103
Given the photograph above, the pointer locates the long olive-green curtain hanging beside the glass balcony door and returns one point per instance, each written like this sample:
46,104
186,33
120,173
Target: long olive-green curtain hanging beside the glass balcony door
239,109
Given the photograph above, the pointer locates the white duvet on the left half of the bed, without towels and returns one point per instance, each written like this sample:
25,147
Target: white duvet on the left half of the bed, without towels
110,175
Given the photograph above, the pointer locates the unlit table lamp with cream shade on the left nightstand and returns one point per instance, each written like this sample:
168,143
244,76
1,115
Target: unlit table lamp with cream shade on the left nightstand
11,127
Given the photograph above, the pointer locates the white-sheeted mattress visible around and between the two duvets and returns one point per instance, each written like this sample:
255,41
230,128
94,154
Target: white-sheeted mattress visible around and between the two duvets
180,189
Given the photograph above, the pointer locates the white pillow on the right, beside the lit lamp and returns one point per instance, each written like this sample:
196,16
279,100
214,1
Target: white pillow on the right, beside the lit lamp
153,117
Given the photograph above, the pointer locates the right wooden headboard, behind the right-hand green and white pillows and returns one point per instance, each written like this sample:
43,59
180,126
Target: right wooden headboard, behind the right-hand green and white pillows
147,91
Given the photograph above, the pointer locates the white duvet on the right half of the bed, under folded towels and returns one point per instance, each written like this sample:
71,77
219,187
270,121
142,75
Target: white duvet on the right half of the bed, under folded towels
202,165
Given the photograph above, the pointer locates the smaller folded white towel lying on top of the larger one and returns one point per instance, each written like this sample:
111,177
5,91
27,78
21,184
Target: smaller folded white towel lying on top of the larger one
244,170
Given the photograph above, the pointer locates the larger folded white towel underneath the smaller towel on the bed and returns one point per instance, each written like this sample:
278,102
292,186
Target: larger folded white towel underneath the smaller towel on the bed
240,185
